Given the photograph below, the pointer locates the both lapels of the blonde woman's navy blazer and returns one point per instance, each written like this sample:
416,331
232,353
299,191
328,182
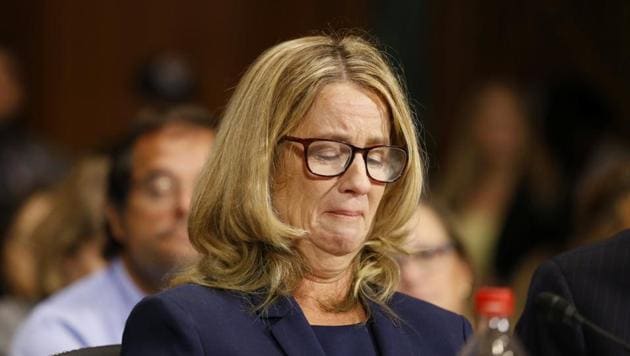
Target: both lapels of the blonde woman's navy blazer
292,331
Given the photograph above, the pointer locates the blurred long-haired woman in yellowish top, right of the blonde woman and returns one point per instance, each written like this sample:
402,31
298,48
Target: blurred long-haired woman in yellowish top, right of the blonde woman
500,182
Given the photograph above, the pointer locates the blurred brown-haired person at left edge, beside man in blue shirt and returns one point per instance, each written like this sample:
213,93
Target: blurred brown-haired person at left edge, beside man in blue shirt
56,238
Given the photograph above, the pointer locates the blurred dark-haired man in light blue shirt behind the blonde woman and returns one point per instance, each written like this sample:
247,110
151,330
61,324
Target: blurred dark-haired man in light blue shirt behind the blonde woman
149,189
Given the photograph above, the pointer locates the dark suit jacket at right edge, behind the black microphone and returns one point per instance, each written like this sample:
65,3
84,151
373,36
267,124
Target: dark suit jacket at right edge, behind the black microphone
596,279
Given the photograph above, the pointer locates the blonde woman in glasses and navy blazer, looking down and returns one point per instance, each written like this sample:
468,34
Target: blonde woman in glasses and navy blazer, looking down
317,167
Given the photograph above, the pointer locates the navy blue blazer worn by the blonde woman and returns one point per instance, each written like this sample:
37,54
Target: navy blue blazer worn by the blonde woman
196,320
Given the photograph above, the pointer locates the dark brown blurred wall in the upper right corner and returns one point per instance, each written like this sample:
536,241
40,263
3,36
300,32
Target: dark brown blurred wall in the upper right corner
538,42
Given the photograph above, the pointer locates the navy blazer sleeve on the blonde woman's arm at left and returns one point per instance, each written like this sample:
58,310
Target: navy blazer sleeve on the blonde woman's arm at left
157,327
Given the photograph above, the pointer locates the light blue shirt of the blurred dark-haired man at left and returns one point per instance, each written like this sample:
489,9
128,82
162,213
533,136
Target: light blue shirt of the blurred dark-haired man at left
90,312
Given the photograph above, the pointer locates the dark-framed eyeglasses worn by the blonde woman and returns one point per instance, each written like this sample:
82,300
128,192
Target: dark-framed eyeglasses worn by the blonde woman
331,158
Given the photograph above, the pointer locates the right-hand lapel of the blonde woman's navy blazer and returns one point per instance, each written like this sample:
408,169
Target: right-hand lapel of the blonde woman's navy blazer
391,338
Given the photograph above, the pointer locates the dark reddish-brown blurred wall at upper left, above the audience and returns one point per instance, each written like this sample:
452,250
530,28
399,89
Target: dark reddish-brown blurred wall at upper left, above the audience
82,54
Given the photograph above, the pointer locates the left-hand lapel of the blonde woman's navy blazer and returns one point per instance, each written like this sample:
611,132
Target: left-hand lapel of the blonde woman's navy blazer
290,328
